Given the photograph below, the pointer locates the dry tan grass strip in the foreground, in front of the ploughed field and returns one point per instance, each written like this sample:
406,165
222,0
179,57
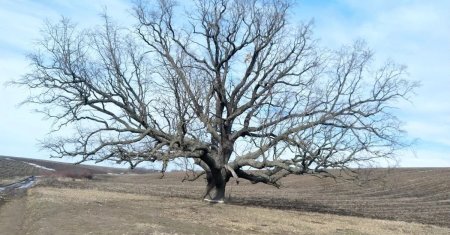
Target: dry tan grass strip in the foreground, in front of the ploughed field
76,211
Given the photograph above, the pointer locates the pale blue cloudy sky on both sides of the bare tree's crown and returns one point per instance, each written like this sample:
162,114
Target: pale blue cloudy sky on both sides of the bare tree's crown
412,33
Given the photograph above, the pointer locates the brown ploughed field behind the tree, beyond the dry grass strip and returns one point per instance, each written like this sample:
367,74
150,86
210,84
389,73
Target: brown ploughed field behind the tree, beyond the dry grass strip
412,195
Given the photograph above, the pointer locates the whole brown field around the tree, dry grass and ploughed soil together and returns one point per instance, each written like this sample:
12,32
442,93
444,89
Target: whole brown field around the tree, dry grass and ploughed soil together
303,205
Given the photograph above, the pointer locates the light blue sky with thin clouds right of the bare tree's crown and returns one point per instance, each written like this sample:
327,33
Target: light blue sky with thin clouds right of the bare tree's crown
414,33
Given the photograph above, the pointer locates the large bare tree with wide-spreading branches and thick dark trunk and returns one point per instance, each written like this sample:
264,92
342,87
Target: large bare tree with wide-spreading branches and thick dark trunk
230,84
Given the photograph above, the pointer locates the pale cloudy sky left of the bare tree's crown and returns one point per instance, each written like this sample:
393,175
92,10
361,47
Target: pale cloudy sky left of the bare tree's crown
20,22
